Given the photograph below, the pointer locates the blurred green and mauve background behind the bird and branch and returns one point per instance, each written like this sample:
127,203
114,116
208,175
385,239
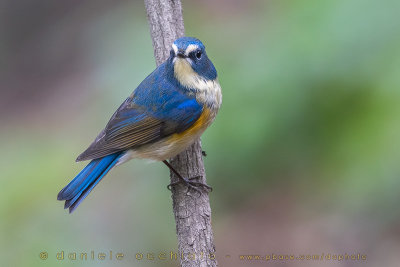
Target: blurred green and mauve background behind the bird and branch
304,156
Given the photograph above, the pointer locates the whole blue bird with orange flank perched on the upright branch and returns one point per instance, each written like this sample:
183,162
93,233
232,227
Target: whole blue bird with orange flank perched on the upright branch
165,114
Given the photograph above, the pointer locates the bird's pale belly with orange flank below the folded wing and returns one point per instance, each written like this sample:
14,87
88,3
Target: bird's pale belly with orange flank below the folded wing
173,144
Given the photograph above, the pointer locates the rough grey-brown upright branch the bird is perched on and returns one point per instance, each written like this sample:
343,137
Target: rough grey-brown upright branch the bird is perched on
192,210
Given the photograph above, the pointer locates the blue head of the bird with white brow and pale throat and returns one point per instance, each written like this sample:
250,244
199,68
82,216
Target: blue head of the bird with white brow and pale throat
190,61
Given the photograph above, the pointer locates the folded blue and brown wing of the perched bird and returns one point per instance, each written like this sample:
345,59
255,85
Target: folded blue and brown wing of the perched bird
143,119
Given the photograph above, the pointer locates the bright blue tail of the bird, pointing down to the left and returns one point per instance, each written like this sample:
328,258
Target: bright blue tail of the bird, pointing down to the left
86,180
